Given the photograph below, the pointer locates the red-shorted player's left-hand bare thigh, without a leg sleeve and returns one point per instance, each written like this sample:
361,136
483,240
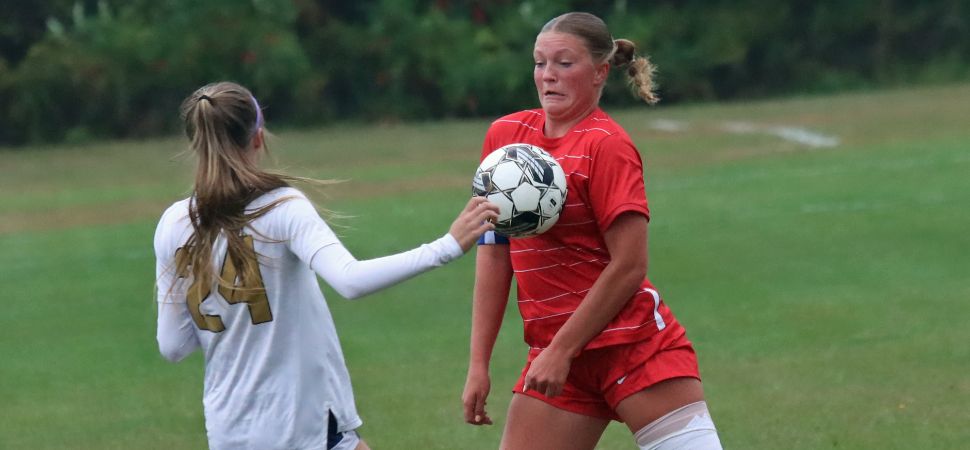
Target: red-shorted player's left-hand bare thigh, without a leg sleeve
535,425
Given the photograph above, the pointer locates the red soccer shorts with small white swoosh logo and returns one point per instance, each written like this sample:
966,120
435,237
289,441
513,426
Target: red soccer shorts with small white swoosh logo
600,378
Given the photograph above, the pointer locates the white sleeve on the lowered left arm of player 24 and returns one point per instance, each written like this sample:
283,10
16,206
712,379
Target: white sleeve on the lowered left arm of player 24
176,330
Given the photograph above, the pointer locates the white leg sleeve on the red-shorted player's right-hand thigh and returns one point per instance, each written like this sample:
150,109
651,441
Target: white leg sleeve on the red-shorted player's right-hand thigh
689,427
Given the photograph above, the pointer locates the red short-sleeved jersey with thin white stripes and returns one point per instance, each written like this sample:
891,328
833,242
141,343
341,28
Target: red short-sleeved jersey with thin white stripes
555,270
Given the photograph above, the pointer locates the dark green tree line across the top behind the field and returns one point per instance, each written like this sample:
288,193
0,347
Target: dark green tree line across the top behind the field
75,70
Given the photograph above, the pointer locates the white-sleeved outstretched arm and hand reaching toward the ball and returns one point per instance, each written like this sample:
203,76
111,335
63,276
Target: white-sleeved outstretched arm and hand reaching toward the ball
354,279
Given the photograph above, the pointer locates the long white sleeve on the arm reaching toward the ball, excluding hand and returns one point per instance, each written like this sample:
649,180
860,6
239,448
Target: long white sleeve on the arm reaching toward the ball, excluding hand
353,279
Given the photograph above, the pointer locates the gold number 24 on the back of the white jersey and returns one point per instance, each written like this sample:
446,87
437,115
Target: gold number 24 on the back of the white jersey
254,295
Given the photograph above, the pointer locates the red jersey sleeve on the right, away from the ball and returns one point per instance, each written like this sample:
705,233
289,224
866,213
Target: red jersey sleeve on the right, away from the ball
616,181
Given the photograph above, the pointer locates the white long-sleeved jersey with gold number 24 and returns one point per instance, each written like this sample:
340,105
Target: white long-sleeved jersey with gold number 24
274,368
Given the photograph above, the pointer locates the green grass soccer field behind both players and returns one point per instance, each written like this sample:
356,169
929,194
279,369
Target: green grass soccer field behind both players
826,288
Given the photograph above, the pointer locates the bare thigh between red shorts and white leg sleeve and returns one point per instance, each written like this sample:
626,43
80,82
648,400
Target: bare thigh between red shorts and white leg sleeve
644,407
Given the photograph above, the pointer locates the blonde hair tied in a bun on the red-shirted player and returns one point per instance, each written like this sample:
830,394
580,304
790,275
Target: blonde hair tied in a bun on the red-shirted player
603,48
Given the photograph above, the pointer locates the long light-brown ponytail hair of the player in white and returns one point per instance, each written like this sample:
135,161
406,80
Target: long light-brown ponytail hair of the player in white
221,121
